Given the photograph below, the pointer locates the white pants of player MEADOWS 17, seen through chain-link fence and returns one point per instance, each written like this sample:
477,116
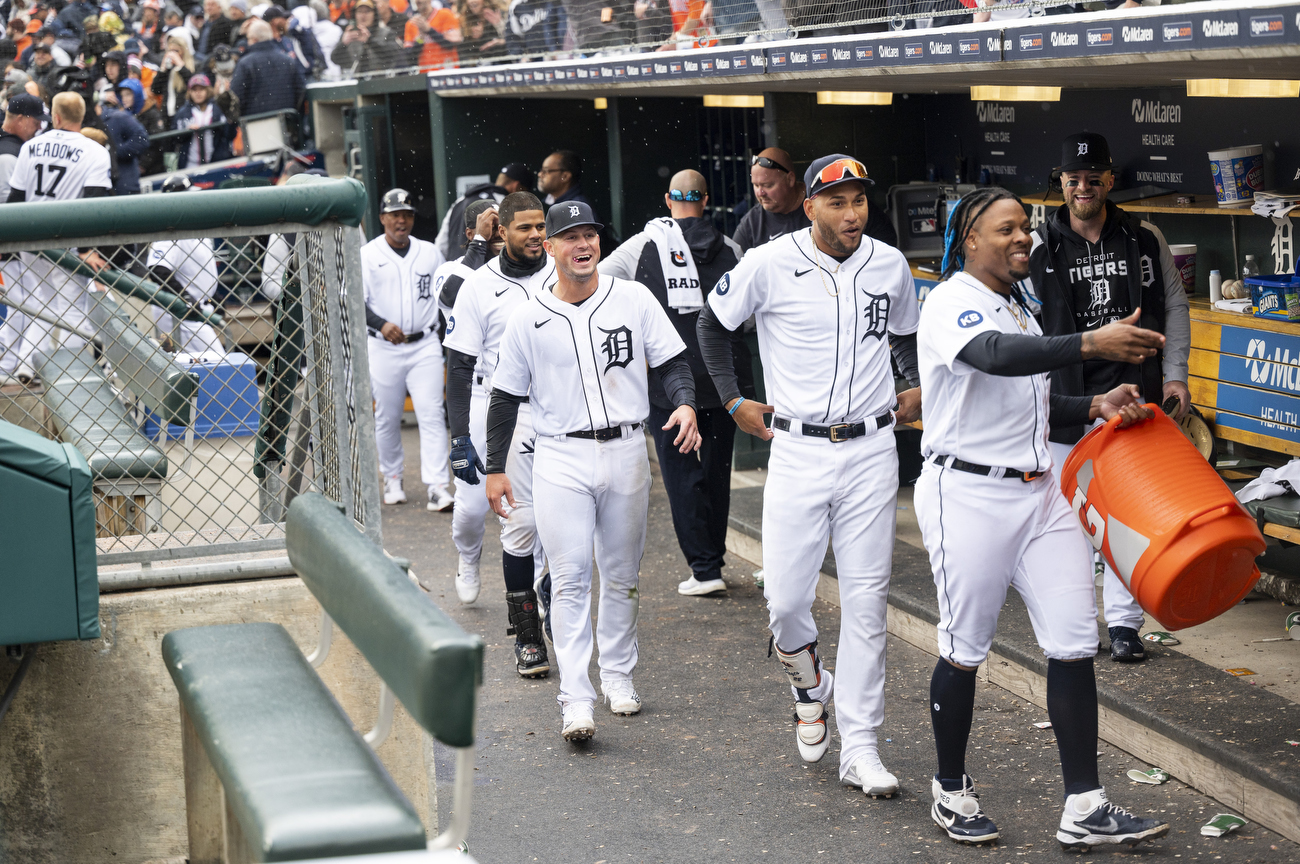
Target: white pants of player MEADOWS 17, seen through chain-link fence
44,286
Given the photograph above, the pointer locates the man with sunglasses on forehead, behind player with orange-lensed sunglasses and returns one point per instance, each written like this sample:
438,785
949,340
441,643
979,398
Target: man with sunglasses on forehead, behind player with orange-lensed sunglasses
781,197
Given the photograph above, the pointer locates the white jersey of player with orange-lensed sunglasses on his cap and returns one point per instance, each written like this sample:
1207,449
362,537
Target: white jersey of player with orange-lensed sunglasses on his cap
822,329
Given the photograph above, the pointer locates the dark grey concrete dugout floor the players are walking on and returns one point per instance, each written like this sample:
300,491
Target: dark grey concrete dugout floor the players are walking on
709,771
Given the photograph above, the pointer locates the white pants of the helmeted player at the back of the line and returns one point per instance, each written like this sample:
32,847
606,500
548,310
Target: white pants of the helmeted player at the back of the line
396,371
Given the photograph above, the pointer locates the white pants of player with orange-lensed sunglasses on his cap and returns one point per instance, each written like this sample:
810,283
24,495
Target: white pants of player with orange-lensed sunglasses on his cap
846,493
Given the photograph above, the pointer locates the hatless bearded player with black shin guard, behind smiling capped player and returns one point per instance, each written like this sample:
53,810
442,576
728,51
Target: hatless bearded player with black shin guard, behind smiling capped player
484,305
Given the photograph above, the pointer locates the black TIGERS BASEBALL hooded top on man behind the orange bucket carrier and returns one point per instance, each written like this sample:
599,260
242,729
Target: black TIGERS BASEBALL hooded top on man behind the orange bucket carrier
1086,285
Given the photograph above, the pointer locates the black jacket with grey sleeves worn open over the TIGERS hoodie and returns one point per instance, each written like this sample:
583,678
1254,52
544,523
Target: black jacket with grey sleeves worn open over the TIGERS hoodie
1146,289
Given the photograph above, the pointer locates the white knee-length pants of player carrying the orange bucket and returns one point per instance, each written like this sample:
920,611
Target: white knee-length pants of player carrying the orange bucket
985,536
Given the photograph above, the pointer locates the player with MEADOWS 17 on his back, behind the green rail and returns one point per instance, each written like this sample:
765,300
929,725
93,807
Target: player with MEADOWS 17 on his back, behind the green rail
57,167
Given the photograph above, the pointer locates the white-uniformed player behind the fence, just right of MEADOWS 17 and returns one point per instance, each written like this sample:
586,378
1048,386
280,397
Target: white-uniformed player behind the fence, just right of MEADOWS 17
187,267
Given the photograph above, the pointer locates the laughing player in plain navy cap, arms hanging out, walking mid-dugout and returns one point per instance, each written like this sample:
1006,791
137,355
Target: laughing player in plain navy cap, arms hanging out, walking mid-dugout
579,353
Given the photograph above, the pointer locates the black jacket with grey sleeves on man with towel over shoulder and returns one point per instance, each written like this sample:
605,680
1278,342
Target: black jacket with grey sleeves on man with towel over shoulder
716,257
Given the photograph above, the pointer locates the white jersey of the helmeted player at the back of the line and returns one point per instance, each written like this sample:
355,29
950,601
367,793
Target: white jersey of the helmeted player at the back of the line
400,289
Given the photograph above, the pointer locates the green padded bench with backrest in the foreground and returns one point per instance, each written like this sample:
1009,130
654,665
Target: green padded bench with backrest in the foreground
266,741
